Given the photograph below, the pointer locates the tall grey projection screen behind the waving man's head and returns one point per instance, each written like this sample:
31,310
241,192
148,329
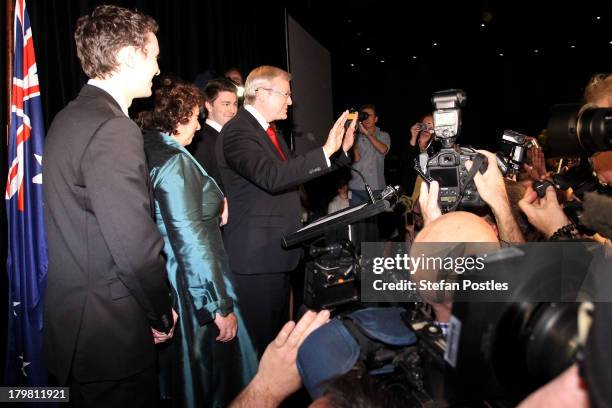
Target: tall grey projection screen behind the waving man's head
310,66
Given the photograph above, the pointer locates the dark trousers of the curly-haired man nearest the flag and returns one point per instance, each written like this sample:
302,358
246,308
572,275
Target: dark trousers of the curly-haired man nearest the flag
138,390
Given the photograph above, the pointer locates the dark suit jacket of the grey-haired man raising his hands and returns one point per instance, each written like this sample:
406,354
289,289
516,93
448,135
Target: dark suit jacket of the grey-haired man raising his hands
262,193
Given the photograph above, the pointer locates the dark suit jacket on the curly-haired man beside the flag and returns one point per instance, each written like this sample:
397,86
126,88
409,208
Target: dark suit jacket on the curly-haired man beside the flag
106,284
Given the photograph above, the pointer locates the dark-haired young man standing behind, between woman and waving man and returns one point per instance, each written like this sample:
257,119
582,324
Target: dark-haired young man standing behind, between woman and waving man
221,103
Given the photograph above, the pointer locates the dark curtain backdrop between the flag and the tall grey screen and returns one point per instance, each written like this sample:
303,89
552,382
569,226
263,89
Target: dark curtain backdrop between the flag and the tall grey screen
194,36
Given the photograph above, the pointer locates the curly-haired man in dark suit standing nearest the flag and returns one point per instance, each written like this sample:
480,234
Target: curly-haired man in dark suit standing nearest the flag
107,299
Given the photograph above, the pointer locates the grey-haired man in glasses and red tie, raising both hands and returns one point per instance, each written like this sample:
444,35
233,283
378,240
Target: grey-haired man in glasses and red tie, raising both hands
260,176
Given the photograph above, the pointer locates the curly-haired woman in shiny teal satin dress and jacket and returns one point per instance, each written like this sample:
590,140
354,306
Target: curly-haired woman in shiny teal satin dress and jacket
212,357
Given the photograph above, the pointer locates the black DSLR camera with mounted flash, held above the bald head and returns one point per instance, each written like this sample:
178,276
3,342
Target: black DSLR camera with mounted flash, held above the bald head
447,165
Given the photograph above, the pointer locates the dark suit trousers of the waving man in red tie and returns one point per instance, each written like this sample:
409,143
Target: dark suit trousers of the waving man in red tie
263,301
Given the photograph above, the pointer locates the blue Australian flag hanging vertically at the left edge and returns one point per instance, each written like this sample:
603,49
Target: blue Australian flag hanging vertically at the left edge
27,242
